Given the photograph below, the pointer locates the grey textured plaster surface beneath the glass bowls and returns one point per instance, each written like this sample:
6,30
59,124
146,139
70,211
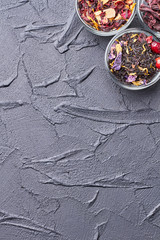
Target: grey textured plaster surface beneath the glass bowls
79,157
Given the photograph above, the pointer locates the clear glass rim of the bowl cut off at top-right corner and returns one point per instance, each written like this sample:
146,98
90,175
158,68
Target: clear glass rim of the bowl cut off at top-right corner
140,14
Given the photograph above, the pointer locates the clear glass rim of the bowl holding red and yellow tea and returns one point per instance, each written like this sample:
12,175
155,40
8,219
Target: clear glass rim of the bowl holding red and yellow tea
110,33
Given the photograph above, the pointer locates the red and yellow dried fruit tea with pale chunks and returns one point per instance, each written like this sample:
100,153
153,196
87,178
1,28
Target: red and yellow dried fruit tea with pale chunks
106,15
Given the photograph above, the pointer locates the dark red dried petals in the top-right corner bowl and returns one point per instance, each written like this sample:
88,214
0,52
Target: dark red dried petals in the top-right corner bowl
151,15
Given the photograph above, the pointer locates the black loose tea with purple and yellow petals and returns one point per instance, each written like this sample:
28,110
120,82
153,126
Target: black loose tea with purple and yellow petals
132,60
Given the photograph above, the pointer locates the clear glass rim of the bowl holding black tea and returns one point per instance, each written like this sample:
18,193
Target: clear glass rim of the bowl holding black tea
155,78
